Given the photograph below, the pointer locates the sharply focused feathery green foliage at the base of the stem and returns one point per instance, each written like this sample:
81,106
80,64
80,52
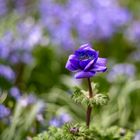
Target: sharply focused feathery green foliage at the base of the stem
81,132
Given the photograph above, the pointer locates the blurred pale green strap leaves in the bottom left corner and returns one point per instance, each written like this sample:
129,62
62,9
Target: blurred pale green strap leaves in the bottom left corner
22,121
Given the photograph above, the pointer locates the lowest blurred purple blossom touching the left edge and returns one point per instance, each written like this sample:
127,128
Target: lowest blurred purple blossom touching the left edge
4,111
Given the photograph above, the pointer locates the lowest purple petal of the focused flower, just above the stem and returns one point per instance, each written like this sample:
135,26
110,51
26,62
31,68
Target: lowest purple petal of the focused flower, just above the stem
83,74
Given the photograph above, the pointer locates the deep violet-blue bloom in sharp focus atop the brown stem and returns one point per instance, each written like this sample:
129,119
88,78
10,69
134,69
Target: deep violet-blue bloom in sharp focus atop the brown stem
86,62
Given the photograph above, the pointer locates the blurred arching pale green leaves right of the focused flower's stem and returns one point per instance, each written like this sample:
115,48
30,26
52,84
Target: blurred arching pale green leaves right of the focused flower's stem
123,108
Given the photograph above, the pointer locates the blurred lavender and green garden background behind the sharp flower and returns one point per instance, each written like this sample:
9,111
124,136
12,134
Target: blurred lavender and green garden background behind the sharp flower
36,38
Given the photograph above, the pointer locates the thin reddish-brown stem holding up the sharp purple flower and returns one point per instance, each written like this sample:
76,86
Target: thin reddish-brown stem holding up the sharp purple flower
89,108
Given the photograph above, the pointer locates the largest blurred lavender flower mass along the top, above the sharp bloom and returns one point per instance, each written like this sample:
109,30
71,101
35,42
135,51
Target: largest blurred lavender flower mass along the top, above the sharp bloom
77,21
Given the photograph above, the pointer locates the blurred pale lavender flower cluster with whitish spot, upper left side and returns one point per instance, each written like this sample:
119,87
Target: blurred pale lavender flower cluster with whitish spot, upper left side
18,49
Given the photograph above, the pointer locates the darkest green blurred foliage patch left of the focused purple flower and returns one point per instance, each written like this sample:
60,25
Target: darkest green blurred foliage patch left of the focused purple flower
46,71
